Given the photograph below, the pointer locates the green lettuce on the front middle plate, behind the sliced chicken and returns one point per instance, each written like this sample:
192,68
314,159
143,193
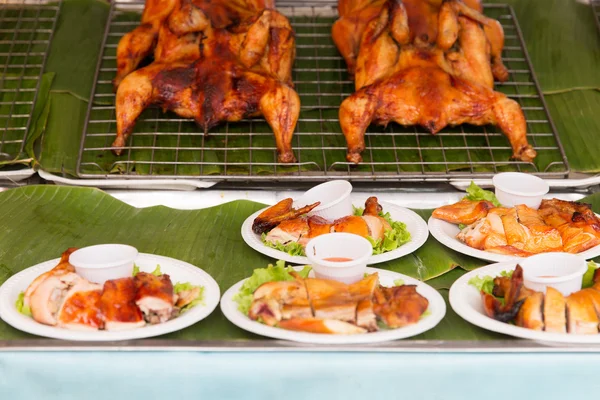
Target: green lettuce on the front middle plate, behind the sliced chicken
273,273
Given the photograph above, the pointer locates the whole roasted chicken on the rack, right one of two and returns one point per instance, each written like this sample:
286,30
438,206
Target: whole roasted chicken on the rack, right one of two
424,62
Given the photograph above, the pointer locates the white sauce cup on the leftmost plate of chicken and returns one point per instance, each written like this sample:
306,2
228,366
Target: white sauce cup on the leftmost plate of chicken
104,262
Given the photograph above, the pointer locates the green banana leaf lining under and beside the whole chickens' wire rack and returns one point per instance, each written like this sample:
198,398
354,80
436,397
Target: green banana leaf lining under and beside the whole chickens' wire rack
561,39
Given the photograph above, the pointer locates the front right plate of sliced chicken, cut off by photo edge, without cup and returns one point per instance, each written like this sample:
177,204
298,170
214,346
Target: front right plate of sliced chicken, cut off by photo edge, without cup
497,298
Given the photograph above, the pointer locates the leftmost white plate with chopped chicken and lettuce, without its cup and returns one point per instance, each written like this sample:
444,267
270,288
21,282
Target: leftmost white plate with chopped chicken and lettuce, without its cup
163,295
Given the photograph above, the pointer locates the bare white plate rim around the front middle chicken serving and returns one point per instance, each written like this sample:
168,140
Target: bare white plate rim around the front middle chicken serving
437,310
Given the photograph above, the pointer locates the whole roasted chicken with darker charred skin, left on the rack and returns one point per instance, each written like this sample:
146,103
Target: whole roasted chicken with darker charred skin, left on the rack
213,61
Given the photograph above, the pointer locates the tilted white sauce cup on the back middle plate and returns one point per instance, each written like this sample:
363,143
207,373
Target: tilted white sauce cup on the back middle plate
334,197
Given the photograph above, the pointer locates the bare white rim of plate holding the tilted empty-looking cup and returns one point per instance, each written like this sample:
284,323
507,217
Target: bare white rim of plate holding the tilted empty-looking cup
414,223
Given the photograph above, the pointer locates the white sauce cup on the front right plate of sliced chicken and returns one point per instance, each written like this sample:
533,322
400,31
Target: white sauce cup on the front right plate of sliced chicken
562,271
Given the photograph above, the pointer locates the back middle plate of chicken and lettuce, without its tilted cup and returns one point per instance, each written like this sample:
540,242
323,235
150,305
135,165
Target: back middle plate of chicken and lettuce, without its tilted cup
282,231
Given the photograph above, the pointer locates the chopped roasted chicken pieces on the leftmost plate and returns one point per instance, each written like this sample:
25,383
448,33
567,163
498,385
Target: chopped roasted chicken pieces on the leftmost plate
64,299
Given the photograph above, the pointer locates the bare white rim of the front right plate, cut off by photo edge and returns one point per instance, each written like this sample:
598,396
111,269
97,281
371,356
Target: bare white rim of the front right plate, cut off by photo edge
466,301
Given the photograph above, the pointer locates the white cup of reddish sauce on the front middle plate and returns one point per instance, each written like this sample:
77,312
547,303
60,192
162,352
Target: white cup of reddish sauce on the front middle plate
339,245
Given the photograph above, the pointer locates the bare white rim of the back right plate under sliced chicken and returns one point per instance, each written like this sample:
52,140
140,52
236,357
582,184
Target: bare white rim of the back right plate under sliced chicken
445,233
